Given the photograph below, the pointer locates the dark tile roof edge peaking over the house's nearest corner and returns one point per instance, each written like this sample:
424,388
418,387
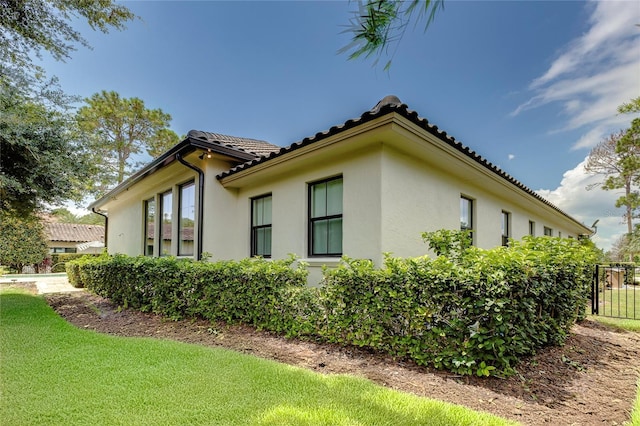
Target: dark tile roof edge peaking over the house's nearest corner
387,105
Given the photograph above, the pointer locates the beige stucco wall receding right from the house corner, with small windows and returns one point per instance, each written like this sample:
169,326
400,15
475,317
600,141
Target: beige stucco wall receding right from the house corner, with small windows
419,194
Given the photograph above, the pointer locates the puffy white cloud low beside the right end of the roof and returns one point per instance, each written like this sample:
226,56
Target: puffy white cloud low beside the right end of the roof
587,206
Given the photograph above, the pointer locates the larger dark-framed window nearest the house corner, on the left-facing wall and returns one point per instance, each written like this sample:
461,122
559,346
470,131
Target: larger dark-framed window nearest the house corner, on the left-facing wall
325,217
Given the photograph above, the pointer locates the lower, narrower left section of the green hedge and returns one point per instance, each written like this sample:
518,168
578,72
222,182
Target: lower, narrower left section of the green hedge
251,291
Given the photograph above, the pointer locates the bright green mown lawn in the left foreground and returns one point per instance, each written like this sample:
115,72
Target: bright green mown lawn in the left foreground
54,373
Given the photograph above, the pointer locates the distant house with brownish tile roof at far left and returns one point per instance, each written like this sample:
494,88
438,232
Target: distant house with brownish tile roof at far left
74,238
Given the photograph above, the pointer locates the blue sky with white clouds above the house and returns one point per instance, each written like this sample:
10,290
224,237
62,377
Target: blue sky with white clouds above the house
531,86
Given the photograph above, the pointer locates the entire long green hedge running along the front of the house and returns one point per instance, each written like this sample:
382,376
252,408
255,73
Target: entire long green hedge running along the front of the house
474,312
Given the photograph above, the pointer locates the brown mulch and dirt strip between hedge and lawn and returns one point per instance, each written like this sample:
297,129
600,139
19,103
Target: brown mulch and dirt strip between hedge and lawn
589,381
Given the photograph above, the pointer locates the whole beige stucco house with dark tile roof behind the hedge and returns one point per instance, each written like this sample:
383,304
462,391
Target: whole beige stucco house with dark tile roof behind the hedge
368,186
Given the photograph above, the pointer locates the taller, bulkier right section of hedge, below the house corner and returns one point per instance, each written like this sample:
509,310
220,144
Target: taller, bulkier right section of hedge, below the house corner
477,312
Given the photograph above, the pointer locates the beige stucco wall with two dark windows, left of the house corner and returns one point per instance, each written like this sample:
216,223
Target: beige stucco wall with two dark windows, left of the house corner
360,169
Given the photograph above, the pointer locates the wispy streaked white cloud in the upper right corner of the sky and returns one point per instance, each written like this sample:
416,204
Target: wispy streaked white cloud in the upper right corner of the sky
594,73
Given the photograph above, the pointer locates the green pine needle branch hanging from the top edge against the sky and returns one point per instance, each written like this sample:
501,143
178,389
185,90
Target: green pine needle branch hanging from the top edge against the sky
379,23
